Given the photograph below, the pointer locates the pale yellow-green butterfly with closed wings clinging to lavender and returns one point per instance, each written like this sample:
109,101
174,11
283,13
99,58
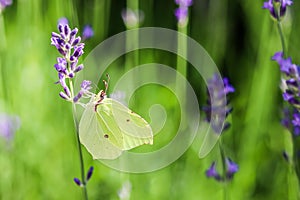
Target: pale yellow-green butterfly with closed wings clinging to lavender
107,127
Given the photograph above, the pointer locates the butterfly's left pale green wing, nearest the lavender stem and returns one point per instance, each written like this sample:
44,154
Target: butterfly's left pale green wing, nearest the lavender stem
93,135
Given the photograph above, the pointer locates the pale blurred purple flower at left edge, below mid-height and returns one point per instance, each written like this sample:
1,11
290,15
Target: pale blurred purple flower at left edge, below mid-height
8,126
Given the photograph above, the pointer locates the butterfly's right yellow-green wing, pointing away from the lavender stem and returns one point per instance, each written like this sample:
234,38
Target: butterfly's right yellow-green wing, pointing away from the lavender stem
128,129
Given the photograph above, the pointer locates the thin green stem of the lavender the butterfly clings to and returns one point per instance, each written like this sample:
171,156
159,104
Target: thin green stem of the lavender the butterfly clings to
76,123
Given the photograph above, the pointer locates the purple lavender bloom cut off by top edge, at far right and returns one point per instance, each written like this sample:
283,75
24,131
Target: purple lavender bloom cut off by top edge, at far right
277,5
